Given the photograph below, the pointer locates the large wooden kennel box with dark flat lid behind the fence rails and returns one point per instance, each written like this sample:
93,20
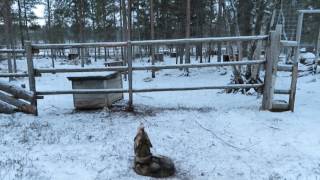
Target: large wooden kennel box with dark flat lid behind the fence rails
111,80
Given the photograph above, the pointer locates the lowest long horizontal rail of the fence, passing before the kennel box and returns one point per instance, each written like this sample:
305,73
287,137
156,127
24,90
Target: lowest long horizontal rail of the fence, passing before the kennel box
106,91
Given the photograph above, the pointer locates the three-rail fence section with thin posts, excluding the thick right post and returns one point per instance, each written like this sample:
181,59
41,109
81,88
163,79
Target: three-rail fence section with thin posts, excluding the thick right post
129,68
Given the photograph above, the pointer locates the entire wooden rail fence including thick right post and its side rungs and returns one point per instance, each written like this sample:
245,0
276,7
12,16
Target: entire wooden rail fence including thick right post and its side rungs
271,66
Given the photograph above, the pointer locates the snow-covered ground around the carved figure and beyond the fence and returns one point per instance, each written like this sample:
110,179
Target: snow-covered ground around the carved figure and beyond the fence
208,134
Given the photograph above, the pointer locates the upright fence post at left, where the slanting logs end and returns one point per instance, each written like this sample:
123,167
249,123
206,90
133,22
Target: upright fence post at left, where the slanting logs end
31,73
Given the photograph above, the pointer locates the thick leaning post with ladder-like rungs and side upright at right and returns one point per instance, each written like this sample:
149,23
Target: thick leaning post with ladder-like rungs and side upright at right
272,67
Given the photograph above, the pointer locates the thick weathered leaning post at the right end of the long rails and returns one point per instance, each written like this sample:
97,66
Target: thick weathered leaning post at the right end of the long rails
272,57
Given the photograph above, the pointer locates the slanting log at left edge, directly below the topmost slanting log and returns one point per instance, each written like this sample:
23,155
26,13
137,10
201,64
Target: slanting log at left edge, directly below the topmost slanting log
22,106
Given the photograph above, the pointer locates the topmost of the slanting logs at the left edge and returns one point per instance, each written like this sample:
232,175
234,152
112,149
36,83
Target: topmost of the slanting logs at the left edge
16,91
